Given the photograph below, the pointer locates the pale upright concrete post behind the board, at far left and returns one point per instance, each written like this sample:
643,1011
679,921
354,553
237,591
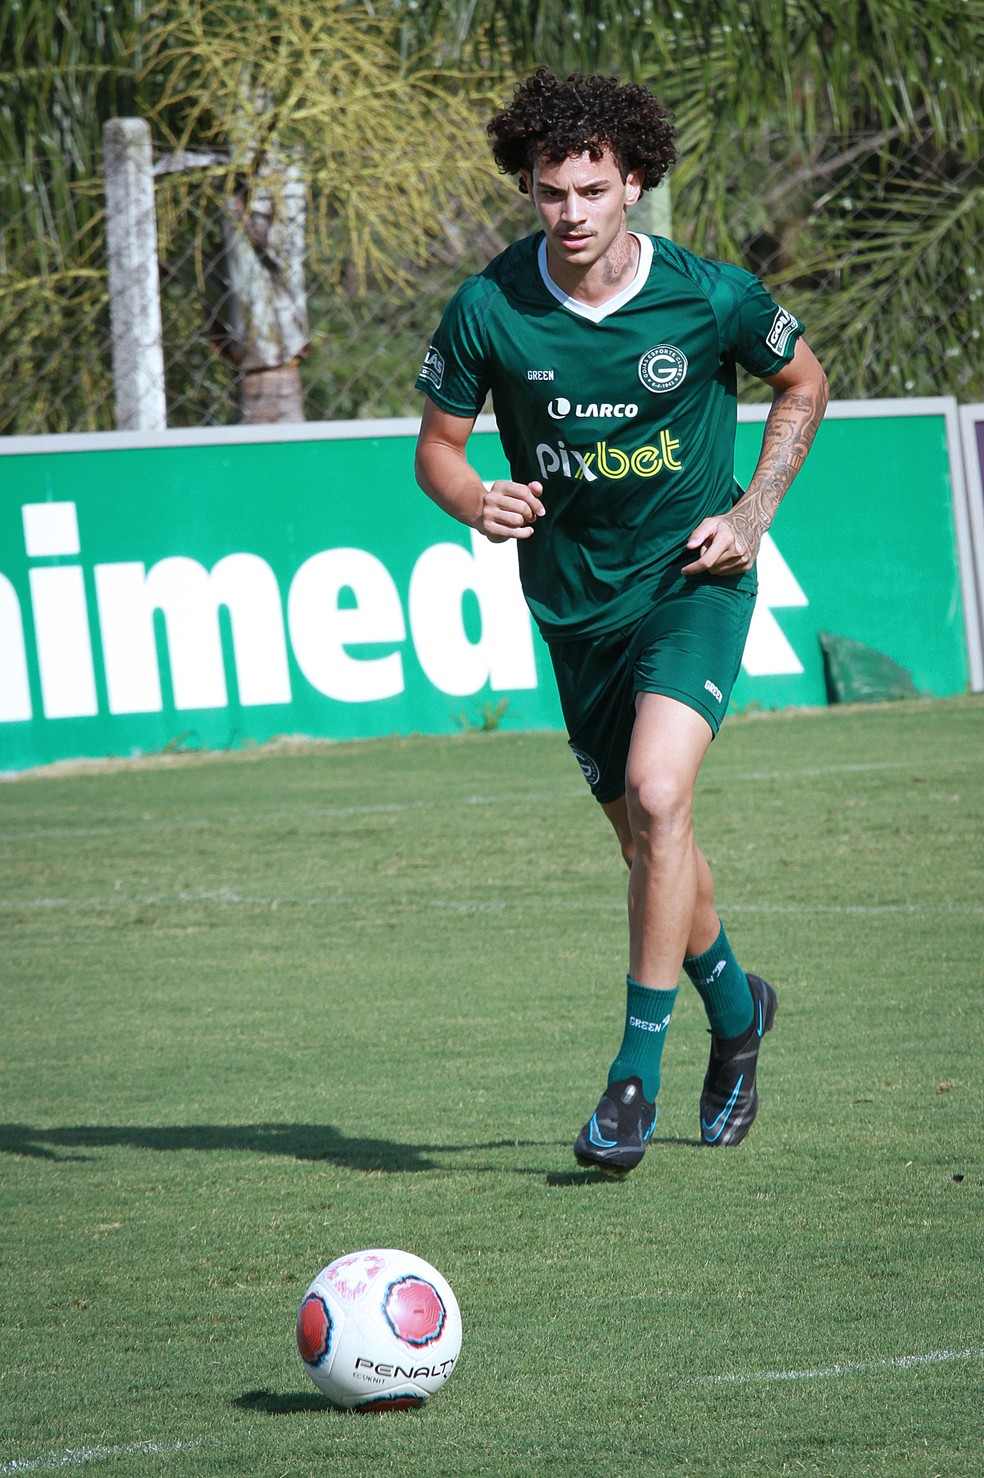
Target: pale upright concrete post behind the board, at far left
135,292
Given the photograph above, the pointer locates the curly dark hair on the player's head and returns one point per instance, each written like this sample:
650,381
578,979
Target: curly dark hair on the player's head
550,120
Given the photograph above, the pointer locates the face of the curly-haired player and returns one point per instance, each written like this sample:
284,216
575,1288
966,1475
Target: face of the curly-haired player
581,205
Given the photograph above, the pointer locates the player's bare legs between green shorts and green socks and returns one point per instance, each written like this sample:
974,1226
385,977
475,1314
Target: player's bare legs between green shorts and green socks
672,889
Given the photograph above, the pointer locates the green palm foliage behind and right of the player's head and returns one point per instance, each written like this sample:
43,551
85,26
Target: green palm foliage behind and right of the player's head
834,150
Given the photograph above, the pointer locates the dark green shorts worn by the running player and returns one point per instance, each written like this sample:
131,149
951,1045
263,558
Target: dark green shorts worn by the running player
689,647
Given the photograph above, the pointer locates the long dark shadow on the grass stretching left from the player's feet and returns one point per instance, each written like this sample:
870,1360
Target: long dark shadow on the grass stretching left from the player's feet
298,1142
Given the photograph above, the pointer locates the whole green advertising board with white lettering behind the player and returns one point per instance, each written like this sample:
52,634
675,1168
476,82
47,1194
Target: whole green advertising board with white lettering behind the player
231,586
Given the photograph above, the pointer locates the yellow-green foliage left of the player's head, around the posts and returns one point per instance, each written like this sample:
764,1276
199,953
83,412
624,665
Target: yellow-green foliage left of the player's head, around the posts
392,150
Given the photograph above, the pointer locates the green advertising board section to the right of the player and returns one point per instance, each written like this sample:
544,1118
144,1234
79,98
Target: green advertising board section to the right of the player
865,548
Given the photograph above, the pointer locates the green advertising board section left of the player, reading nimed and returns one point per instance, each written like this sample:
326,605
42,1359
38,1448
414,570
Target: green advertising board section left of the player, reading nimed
215,593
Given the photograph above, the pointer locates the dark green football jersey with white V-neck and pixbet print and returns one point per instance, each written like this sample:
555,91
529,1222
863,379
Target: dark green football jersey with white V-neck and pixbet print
626,413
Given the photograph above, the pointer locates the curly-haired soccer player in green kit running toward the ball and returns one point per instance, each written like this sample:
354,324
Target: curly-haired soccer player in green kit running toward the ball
611,358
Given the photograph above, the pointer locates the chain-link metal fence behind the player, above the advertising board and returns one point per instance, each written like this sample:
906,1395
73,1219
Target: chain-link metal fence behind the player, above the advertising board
880,255
